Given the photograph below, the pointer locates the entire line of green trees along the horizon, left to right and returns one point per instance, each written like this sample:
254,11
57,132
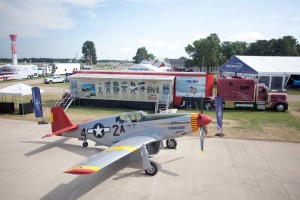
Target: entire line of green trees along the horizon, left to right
206,52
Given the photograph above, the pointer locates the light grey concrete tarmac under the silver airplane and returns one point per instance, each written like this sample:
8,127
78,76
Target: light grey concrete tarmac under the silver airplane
31,168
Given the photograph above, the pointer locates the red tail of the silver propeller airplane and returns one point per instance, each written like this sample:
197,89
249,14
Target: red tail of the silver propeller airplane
60,122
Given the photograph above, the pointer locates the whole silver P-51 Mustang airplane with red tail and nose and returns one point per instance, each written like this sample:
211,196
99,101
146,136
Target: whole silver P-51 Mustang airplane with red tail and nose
126,133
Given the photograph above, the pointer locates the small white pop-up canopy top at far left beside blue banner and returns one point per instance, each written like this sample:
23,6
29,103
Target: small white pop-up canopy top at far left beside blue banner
18,89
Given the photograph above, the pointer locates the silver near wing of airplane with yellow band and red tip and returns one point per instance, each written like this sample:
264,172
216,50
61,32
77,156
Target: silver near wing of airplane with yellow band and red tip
110,155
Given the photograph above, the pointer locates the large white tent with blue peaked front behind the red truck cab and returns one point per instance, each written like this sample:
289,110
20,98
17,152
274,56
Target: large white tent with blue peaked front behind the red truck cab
276,72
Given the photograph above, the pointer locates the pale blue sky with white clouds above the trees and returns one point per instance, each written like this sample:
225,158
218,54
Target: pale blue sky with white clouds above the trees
58,28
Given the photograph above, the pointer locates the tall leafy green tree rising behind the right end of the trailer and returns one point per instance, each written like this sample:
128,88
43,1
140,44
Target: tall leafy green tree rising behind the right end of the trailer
205,52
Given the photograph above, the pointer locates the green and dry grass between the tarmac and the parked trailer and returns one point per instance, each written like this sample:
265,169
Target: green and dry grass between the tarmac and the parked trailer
237,123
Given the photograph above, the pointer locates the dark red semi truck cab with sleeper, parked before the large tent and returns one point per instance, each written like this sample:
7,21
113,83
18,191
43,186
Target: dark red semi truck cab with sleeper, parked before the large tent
246,92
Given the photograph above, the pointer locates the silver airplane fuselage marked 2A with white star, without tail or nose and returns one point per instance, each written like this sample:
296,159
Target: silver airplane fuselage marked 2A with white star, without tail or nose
109,131
